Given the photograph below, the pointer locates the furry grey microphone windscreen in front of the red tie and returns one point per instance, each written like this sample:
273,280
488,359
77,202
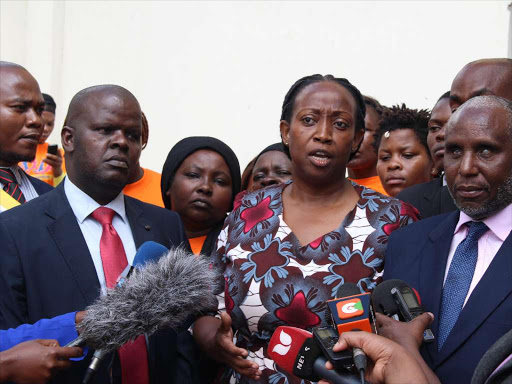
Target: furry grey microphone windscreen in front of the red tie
162,294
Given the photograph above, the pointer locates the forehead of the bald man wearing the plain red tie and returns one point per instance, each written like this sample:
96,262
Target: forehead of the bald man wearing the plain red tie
112,109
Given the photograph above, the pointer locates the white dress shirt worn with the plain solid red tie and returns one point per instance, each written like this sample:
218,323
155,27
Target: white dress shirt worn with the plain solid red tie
83,205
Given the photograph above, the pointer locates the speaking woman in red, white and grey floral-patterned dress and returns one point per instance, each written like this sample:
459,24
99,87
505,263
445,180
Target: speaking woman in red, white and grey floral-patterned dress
285,249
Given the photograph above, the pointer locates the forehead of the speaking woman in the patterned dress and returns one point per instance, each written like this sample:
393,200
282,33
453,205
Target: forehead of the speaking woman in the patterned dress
325,95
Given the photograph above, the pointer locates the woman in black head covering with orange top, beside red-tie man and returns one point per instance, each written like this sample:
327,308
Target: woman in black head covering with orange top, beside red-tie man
200,179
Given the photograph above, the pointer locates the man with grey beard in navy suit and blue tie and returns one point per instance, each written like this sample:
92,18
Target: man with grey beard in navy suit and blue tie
460,262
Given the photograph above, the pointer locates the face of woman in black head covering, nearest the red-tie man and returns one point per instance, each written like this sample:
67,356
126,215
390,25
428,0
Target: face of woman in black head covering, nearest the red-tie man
201,190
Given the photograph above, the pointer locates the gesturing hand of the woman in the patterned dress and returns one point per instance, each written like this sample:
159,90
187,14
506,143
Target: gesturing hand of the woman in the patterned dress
225,351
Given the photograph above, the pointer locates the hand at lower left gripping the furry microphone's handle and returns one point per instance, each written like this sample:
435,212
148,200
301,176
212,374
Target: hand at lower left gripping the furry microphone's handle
35,361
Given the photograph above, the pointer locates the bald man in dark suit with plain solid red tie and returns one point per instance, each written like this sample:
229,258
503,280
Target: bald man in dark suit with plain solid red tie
61,250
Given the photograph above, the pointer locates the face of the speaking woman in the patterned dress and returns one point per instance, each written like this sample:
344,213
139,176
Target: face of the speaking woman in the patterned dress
321,134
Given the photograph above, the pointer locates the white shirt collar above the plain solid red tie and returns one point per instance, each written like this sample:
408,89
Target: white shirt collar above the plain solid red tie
83,205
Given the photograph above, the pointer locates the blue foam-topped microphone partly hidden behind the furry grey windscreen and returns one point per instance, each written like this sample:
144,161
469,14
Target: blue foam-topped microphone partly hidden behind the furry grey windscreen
149,251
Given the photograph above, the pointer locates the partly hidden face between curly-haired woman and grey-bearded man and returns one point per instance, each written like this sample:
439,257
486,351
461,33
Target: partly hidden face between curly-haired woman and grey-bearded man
436,127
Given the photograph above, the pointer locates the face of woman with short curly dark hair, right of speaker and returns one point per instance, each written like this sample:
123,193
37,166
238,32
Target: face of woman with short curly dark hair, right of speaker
403,161
